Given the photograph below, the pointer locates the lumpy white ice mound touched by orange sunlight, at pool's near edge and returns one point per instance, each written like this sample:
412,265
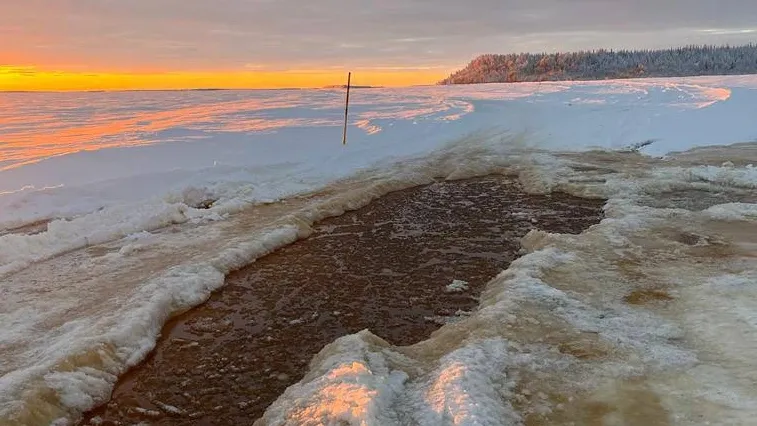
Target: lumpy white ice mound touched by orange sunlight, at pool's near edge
360,380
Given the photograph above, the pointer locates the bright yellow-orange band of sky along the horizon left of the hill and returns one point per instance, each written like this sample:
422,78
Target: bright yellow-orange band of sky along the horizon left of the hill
32,79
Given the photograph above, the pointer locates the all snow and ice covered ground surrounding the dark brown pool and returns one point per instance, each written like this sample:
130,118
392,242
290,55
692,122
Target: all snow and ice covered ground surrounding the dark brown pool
123,180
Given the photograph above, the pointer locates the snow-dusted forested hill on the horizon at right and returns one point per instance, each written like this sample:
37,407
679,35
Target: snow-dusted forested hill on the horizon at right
608,64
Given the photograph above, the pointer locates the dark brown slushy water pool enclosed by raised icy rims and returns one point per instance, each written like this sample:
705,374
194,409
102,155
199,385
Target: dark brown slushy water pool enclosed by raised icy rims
384,267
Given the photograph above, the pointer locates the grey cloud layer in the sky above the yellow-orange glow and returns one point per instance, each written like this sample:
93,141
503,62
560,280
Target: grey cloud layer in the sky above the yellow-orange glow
231,33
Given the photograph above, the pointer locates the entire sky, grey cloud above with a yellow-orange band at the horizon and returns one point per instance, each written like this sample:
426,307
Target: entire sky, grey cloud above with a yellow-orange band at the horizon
100,44
